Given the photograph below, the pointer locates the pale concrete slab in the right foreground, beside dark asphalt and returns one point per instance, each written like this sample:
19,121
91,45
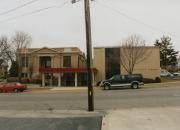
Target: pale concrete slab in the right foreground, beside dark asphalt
164,118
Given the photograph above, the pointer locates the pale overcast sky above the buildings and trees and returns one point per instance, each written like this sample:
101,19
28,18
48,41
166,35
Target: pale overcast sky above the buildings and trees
112,21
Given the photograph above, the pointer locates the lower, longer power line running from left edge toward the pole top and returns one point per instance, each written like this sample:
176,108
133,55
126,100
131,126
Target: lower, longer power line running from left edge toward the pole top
34,12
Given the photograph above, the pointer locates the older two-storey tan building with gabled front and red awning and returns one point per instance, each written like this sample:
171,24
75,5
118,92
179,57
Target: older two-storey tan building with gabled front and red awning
64,66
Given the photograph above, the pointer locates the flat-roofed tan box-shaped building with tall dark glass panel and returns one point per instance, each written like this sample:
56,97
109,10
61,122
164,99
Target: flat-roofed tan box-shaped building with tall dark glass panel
107,62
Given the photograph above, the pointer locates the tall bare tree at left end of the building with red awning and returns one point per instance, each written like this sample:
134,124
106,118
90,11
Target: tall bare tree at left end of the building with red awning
21,41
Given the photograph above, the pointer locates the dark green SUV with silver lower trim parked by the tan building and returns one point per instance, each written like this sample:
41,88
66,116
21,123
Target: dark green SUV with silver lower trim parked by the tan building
133,81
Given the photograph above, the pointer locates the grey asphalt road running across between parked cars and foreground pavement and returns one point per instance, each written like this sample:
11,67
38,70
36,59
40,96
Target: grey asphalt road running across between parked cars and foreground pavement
104,100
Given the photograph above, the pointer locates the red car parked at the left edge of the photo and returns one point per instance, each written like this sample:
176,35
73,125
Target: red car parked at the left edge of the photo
13,86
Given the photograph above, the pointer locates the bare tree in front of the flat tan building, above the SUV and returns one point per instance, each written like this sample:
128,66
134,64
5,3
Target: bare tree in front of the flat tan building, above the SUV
133,51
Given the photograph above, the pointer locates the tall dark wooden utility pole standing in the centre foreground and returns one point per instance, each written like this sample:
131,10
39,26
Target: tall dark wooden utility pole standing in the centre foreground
89,55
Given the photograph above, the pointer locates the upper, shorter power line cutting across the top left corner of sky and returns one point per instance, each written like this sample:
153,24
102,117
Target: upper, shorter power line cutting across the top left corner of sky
18,7
